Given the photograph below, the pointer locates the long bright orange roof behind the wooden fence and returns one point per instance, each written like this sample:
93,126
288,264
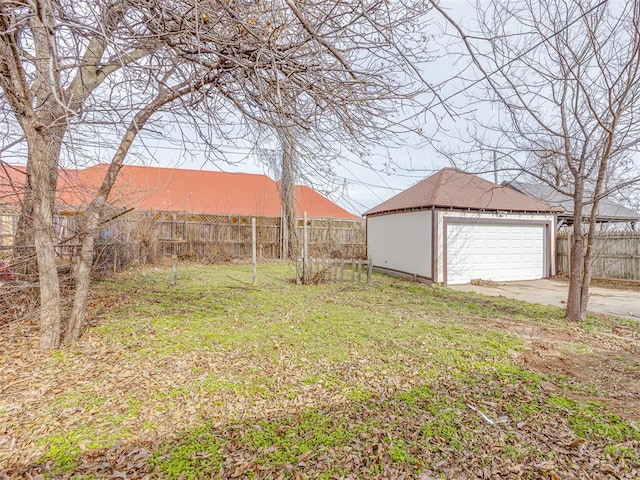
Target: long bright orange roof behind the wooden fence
195,191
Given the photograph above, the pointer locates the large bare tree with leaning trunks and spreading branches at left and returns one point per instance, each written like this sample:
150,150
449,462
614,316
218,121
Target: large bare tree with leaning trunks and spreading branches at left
72,70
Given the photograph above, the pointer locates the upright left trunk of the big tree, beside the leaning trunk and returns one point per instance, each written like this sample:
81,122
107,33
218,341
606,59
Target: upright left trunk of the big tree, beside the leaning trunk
43,235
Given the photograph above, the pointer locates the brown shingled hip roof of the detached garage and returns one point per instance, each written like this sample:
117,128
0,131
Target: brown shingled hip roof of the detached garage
452,188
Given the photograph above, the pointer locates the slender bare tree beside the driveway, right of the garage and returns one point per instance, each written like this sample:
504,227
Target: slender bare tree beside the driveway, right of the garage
565,79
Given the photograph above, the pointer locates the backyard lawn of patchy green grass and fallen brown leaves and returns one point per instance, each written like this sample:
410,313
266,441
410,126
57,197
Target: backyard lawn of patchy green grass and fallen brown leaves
213,378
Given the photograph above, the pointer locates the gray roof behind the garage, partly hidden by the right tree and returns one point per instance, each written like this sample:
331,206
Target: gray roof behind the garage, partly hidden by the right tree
608,210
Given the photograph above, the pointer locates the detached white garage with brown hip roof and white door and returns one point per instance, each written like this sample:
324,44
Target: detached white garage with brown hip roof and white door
454,227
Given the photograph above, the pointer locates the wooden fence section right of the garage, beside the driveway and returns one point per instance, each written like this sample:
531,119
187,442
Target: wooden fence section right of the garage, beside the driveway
616,255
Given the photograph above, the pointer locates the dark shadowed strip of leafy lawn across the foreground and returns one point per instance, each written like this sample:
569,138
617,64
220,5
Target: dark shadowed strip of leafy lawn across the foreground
499,421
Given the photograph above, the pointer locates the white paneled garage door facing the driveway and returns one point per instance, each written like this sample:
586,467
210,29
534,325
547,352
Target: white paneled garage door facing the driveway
498,252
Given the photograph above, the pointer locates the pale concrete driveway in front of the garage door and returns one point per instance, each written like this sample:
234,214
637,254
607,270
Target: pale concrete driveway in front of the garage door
618,303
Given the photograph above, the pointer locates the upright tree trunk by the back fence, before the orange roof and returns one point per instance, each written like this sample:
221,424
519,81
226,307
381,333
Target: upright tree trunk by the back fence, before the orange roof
287,195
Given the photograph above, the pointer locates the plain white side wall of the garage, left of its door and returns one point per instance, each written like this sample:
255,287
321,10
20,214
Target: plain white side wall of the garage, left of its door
401,241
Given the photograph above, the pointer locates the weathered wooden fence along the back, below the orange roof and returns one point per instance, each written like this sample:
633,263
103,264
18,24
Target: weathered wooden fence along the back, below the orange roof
149,236
